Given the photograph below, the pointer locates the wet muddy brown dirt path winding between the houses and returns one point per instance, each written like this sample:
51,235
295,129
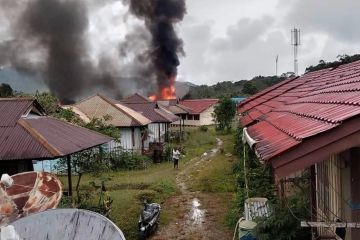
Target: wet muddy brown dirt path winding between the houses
189,219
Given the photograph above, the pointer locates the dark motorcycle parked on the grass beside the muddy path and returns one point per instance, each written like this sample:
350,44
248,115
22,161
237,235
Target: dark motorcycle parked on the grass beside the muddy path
149,220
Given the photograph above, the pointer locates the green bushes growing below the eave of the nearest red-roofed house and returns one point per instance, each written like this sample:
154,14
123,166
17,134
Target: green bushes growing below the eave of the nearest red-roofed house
283,224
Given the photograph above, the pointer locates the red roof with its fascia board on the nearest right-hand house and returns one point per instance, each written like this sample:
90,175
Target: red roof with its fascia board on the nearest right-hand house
304,116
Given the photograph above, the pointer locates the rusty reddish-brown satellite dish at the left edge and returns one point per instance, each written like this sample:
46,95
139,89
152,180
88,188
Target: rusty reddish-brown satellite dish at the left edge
30,192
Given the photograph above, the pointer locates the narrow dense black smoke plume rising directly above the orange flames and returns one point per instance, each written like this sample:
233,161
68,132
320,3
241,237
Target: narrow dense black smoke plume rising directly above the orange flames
160,16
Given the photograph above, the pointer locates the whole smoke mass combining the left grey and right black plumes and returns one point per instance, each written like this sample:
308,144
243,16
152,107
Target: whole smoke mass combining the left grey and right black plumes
50,38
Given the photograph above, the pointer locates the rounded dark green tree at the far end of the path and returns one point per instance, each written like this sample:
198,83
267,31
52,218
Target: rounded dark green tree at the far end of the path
224,113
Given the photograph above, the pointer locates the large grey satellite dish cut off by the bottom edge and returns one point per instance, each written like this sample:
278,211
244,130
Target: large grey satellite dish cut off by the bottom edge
74,224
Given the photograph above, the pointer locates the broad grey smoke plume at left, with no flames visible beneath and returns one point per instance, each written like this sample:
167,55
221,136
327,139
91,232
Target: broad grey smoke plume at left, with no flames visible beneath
55,30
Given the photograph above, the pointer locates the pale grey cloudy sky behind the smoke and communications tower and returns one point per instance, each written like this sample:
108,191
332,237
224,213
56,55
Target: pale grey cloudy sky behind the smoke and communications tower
232,40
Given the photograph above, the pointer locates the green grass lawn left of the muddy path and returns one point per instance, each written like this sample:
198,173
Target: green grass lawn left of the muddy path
157,183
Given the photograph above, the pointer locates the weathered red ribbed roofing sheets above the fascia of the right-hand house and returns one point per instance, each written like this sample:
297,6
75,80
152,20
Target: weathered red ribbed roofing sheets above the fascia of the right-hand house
322,103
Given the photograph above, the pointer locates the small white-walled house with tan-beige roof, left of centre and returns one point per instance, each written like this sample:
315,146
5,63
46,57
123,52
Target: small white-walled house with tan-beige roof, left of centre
131,124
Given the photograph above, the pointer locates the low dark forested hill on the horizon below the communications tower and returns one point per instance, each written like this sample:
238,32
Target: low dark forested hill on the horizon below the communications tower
233,89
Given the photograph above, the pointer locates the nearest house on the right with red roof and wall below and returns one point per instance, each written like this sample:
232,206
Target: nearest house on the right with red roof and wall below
312,123
